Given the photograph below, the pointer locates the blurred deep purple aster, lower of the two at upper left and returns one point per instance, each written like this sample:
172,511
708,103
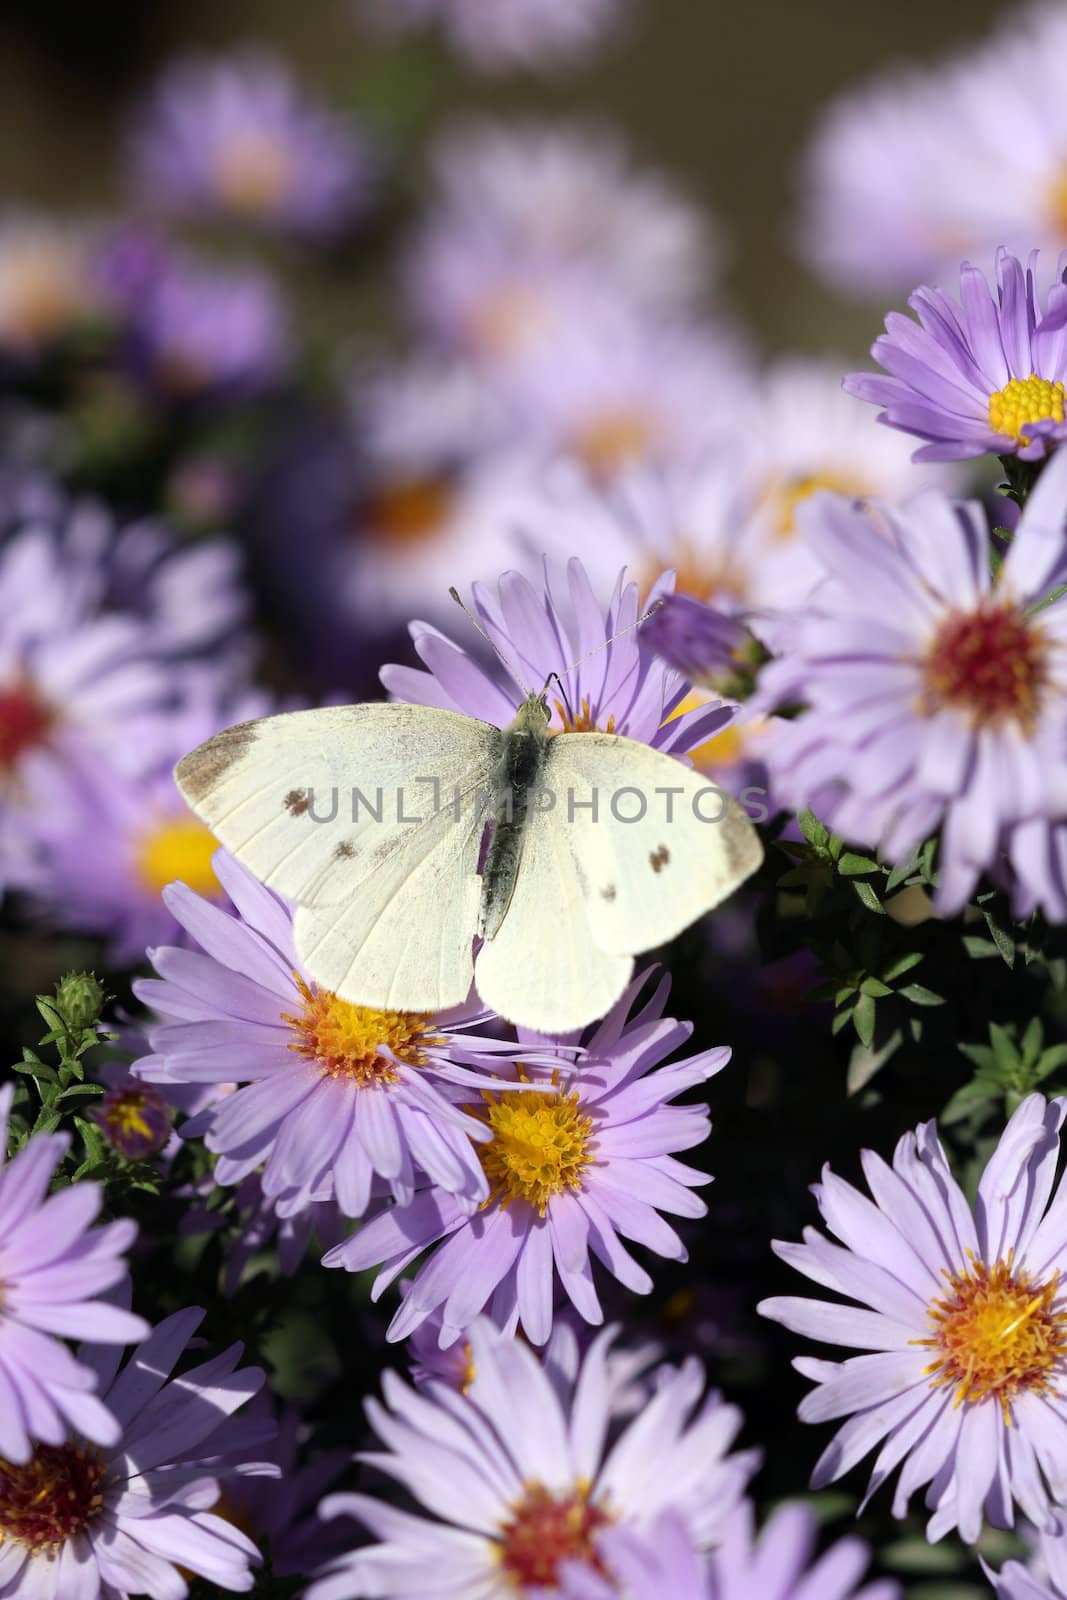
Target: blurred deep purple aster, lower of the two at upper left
209,332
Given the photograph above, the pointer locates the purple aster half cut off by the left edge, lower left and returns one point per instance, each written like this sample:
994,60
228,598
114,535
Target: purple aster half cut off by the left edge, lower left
54,1266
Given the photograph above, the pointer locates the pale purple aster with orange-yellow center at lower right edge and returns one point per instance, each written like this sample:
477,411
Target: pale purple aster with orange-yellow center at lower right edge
967,1316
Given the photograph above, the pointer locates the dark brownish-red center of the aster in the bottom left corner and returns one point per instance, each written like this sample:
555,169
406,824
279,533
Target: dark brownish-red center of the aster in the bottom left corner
54,1497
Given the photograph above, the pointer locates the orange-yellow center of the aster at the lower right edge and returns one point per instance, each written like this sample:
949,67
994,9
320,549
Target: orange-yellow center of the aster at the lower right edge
996,1334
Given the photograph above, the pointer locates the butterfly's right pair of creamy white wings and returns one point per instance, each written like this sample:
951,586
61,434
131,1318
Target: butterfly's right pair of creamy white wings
594,890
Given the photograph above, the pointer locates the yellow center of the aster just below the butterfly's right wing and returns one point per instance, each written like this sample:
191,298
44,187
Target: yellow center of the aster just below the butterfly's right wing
540,1146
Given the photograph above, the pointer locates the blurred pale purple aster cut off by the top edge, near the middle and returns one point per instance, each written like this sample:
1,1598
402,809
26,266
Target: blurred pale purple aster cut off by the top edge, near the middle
498,38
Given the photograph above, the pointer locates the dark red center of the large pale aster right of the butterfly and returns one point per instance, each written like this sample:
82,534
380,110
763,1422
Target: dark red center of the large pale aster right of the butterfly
991,663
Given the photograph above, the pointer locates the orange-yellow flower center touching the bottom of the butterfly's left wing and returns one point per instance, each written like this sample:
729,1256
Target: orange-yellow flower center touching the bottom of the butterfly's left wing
348,1041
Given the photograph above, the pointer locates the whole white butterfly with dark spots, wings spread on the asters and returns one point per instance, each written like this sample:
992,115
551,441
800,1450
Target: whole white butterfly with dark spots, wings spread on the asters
372,818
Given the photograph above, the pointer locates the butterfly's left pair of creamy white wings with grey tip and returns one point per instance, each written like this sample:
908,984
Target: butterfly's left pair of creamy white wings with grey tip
388,887
